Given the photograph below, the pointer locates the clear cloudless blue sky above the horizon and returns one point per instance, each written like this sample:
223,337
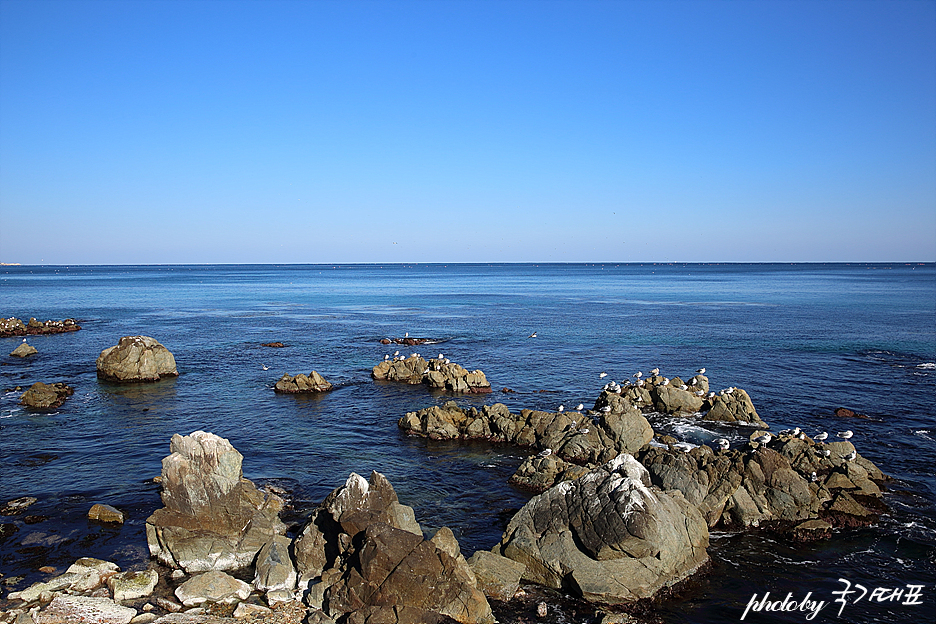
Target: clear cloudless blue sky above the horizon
478,131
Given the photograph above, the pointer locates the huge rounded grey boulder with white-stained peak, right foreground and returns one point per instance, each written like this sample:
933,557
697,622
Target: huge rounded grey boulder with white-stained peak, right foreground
609,535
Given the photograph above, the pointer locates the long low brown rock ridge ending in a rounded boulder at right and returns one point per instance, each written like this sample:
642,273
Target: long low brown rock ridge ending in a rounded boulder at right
570,435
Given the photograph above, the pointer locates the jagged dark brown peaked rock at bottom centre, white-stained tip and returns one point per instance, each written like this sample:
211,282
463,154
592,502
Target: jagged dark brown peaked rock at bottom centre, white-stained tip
371,562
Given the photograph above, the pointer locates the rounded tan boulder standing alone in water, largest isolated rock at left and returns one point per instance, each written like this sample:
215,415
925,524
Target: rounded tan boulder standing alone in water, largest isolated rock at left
135,359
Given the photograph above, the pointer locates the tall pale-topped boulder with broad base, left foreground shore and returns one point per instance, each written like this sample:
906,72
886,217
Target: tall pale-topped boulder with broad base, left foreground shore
213,518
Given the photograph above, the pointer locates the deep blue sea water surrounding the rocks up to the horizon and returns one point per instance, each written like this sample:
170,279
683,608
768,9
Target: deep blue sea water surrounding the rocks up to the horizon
802,339
